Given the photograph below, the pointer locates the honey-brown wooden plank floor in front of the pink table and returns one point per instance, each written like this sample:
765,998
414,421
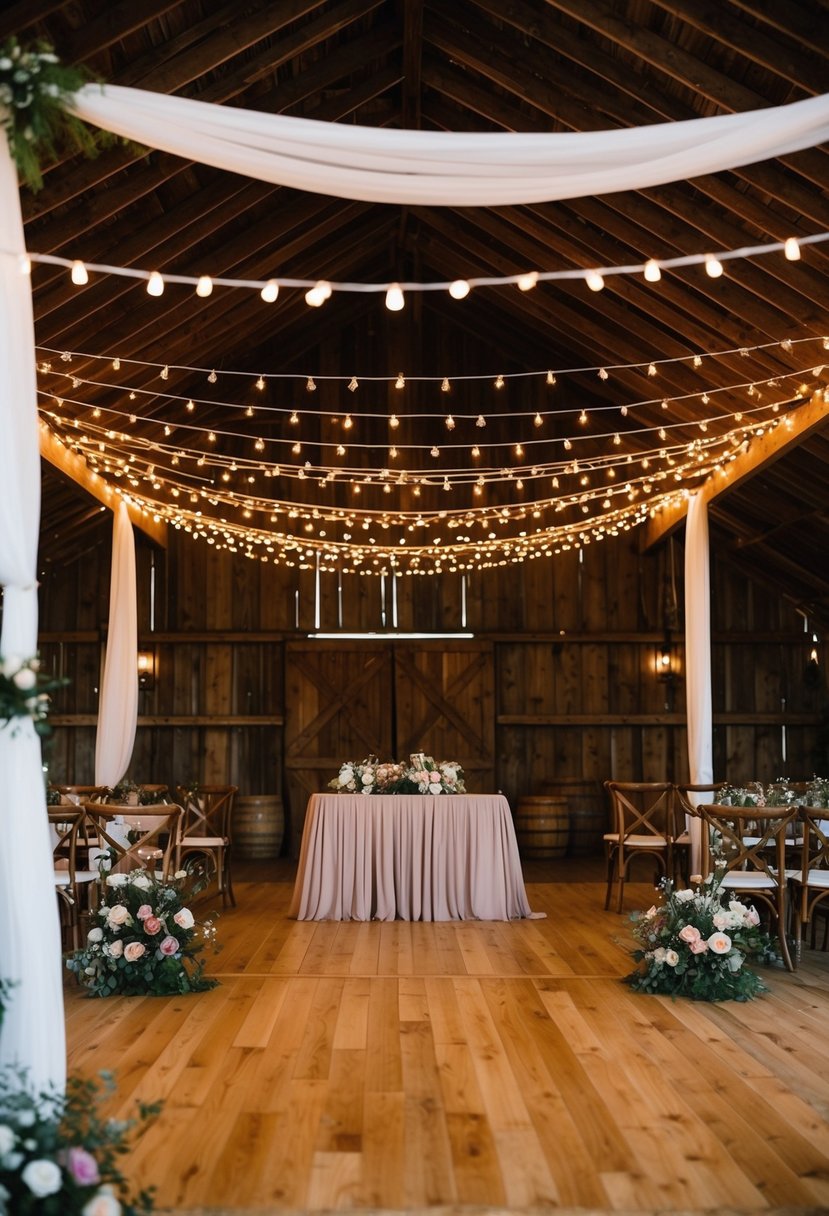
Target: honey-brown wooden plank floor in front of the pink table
345,1066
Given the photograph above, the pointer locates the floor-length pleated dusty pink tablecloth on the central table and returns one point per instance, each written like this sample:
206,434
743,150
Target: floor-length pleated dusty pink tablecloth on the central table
410,858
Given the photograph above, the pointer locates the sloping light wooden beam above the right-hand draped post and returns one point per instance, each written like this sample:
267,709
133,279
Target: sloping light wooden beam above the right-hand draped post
764,452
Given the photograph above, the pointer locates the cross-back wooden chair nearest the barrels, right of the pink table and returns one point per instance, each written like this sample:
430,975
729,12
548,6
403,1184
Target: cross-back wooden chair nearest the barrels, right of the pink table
644,827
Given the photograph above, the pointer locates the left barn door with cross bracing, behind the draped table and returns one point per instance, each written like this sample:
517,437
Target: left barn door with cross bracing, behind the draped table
340,706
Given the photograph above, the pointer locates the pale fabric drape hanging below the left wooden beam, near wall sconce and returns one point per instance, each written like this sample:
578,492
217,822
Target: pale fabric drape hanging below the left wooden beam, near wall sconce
120,686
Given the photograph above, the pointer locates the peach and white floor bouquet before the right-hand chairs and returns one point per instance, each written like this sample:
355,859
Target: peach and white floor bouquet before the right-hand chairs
697,944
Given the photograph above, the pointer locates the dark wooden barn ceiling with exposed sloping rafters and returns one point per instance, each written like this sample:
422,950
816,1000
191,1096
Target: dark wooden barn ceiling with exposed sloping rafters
467,66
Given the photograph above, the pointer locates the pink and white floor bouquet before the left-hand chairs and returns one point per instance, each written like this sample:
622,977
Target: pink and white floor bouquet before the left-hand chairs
145,941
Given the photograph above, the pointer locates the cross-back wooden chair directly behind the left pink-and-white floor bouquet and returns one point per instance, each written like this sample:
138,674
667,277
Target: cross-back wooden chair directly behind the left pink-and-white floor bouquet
144,837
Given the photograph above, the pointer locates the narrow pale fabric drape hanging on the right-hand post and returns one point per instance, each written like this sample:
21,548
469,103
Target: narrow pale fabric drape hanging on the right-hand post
698,657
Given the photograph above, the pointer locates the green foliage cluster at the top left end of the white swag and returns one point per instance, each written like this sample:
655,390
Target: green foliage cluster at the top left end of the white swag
36,91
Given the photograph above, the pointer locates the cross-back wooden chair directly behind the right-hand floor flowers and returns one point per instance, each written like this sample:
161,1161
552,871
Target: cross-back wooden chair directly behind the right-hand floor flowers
752,845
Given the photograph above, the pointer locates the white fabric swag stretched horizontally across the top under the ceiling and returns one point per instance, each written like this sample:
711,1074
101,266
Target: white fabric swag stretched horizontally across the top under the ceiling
444,168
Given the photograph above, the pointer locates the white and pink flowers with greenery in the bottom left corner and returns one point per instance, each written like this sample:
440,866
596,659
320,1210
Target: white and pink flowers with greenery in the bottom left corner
59,1157
